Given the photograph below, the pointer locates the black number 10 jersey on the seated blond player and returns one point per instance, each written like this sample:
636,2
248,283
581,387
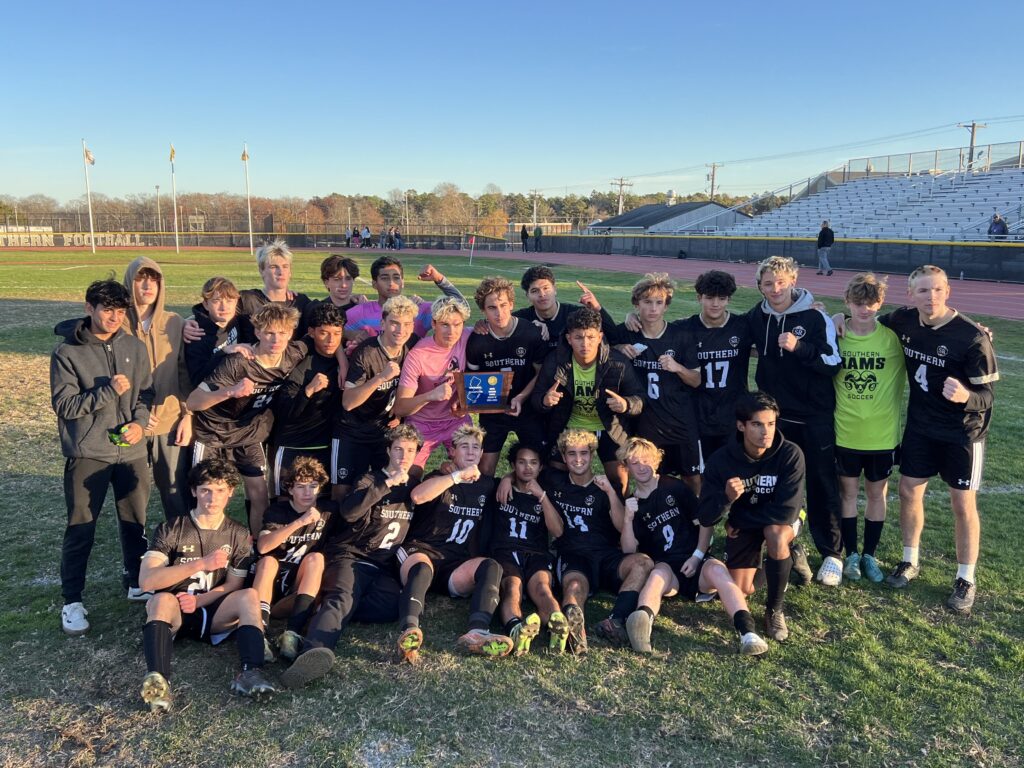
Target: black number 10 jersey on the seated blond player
455,521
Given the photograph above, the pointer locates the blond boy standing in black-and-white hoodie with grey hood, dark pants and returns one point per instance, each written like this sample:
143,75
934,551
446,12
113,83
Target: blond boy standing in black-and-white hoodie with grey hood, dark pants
798,360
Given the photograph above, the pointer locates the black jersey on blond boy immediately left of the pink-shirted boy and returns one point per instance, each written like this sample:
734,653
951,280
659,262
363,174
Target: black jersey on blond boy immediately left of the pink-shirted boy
370,420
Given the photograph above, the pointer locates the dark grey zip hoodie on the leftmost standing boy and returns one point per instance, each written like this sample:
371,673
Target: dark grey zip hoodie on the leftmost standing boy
87,404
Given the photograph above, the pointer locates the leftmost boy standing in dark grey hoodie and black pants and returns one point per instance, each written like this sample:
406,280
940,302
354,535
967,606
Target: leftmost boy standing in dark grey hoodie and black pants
101,391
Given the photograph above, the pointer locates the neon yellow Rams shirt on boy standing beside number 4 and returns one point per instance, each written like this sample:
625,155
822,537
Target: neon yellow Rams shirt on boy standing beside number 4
870,391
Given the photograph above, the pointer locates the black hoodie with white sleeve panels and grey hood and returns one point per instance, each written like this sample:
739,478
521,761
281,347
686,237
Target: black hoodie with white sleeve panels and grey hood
800,381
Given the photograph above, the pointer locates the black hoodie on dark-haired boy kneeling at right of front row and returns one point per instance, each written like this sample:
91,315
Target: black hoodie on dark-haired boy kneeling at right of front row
774,485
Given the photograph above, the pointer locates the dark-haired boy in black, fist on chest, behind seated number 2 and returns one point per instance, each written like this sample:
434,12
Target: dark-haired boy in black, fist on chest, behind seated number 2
308,403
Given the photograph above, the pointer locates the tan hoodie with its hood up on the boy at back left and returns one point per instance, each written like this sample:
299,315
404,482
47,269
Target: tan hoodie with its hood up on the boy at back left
164,346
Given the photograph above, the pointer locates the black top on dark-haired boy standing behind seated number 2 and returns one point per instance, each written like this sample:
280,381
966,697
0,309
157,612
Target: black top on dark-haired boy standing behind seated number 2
301,421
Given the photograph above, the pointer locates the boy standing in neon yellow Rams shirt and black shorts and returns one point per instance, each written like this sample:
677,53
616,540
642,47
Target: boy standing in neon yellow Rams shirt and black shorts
869,401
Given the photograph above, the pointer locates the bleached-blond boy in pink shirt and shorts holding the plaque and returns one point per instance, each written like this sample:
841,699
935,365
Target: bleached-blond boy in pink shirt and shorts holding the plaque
428,398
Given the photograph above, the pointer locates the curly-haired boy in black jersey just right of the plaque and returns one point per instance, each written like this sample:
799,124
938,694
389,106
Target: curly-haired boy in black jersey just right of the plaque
508,345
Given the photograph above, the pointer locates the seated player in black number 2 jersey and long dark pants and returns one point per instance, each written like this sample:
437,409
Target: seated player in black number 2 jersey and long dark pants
359,546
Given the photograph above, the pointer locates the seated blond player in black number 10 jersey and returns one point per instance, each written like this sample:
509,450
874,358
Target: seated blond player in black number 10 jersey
444,549
